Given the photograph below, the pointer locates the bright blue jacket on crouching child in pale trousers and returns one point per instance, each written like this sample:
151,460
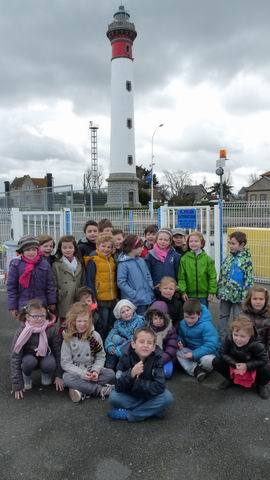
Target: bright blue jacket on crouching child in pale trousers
202,337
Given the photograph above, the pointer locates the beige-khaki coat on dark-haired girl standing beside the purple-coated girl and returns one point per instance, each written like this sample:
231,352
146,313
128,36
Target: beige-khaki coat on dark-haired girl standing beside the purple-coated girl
68,284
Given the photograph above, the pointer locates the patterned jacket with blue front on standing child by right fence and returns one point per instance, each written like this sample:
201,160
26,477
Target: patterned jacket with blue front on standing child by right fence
236,276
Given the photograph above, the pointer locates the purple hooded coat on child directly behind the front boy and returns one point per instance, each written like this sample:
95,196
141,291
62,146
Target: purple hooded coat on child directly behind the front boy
166,336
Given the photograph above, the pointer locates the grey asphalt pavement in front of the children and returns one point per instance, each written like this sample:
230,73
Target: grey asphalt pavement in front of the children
207,433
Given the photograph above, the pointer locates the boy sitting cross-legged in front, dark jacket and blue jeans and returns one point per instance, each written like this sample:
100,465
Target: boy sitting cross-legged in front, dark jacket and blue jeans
140,383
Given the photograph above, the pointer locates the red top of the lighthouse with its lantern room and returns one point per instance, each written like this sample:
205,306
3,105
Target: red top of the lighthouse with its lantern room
121,33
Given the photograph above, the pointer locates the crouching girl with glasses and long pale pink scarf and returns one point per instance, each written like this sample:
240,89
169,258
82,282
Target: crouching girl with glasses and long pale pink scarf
35,345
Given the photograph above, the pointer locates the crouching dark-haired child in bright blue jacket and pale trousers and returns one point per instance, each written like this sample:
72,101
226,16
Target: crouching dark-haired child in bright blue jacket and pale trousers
198,340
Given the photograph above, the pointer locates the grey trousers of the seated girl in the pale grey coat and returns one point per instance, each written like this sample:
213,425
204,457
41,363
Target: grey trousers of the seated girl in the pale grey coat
89,388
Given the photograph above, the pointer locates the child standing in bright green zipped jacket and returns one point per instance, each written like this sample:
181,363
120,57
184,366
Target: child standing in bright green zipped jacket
197,277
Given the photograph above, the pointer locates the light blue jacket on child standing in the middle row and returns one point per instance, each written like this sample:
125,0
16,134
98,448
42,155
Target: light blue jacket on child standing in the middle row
134,280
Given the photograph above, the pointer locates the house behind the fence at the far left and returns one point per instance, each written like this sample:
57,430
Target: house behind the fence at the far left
30,193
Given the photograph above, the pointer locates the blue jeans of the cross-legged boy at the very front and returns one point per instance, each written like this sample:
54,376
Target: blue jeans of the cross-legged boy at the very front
140,408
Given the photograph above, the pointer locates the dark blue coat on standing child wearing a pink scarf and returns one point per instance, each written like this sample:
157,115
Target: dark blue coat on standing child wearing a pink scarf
159,269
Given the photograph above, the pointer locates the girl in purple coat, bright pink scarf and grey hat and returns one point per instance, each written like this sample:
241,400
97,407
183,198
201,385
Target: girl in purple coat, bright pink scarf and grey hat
29,276
